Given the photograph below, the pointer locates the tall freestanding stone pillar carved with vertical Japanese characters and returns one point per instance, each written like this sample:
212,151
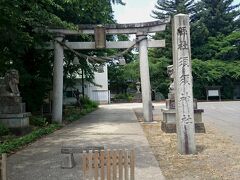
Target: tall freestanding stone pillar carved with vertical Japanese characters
183,85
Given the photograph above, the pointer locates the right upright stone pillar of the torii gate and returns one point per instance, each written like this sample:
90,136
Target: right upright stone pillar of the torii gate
145,78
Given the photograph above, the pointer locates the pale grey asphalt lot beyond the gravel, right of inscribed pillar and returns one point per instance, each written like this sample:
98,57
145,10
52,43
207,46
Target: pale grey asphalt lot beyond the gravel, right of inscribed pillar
225,116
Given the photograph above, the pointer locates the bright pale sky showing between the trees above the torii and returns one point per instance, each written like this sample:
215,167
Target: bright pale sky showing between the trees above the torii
136,11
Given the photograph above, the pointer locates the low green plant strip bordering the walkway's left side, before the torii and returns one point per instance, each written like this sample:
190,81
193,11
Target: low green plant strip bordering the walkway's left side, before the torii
17,143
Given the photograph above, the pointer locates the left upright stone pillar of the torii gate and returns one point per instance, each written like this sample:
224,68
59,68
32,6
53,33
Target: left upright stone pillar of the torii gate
57,80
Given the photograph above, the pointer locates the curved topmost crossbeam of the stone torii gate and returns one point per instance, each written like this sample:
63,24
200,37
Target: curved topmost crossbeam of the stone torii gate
133,28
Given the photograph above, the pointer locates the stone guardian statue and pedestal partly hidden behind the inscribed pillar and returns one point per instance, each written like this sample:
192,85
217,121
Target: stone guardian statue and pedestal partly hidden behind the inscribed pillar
169,113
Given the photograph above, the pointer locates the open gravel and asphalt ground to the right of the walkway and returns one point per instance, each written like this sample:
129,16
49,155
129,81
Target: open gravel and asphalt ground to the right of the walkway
218,150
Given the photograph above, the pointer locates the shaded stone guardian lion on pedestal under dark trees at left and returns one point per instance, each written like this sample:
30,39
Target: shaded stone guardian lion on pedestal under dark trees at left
12,110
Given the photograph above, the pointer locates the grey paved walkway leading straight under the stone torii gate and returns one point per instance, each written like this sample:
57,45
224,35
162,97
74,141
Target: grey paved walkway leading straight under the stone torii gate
114,126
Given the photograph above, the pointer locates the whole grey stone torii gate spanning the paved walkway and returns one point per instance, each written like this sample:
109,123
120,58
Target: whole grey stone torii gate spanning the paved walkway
141,31
